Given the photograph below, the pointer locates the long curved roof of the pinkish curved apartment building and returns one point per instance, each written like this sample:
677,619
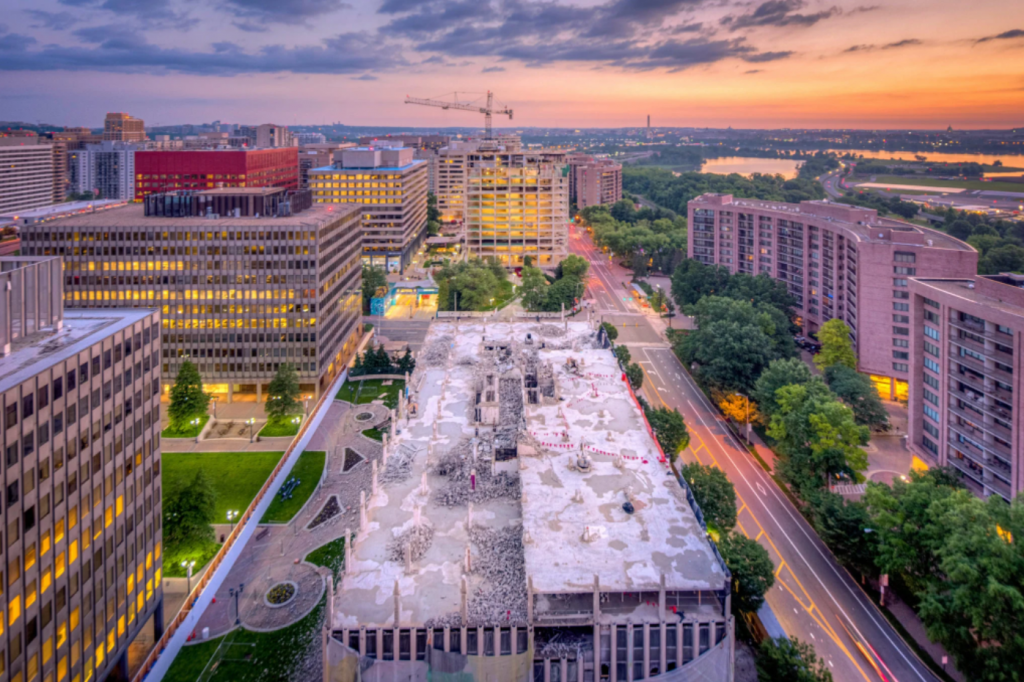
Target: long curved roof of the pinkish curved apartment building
862,223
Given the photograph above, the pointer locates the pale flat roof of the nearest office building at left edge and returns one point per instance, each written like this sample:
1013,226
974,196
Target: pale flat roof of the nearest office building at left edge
32,355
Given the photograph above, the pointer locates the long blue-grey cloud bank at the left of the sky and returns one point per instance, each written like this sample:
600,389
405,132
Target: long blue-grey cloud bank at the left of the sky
347,54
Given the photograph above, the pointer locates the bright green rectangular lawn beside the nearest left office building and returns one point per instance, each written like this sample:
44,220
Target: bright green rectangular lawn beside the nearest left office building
236,478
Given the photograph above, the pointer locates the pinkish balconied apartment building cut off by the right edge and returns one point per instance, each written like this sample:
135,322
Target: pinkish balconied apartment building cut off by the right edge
966,409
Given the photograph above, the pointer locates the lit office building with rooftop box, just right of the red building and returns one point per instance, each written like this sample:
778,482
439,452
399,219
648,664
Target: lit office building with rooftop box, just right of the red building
391,190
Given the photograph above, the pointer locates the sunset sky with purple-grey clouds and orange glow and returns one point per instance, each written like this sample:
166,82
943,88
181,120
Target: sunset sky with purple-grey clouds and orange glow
582,64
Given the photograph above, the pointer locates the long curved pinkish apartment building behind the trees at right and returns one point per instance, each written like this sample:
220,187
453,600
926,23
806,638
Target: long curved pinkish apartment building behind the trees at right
838,262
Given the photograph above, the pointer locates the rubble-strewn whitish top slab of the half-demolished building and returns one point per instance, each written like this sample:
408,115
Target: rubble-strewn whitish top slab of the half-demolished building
541,517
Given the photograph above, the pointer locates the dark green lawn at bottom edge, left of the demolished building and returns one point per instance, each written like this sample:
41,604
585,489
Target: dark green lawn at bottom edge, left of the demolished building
249,657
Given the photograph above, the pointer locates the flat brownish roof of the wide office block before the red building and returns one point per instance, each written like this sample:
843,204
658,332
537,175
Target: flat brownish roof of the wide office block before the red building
134,216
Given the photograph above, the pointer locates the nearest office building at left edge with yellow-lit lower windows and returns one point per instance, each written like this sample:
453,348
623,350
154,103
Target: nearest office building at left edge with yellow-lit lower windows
82,508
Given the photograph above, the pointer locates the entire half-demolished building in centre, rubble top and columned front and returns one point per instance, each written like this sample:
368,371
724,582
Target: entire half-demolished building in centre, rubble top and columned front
522,524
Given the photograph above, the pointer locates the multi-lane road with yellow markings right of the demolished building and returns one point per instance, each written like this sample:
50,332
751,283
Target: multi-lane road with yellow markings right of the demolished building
815,599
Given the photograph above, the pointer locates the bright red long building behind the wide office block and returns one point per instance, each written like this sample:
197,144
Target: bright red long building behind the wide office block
168,172
